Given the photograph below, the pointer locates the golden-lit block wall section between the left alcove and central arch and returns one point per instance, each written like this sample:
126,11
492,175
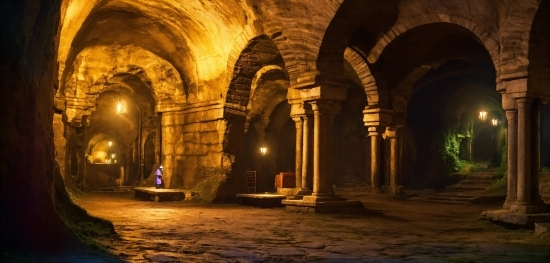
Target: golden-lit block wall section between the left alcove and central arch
192,143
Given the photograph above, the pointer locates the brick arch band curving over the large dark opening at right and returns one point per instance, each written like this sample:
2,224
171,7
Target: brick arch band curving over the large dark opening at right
487,40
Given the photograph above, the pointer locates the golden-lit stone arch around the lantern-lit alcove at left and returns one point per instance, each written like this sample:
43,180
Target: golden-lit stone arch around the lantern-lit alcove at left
95,67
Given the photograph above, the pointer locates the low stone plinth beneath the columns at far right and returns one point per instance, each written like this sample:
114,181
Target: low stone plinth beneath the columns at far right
521,220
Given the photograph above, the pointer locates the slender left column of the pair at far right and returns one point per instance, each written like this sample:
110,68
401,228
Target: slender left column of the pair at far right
511,116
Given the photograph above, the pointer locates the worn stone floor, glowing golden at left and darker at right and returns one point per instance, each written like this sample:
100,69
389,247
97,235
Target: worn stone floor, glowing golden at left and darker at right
391,230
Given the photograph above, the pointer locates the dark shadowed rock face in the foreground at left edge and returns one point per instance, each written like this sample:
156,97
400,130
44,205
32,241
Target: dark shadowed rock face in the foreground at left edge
29,219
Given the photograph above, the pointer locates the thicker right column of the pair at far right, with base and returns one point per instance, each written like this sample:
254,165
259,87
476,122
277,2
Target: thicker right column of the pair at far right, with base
527,201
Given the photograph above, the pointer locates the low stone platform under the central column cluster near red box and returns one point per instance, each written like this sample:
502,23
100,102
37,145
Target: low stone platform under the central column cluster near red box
312,204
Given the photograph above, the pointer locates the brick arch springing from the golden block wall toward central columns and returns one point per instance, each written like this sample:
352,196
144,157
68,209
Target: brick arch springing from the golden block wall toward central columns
259,52
